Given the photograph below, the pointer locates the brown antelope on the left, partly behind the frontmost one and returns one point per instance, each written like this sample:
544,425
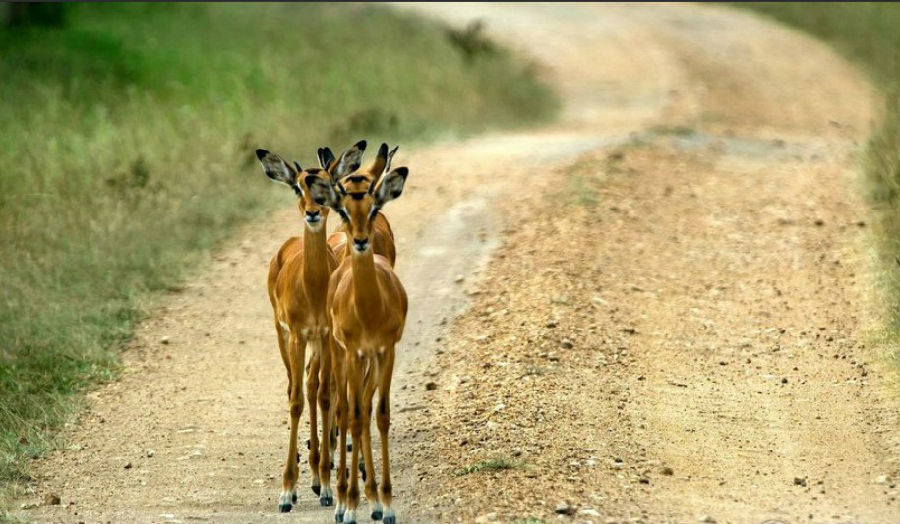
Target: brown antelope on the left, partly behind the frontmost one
298,285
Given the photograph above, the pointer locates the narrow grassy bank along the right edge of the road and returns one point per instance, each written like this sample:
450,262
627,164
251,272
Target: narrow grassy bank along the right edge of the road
866,33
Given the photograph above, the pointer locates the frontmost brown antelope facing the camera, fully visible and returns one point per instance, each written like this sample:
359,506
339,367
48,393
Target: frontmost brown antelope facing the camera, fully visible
367,311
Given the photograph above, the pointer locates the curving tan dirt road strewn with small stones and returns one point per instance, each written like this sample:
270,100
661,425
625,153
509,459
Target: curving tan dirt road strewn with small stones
662,315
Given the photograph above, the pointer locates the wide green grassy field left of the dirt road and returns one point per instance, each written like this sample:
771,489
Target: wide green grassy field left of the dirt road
126,153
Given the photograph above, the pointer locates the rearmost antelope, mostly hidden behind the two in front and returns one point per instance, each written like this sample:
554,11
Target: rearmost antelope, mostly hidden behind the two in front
383,241
